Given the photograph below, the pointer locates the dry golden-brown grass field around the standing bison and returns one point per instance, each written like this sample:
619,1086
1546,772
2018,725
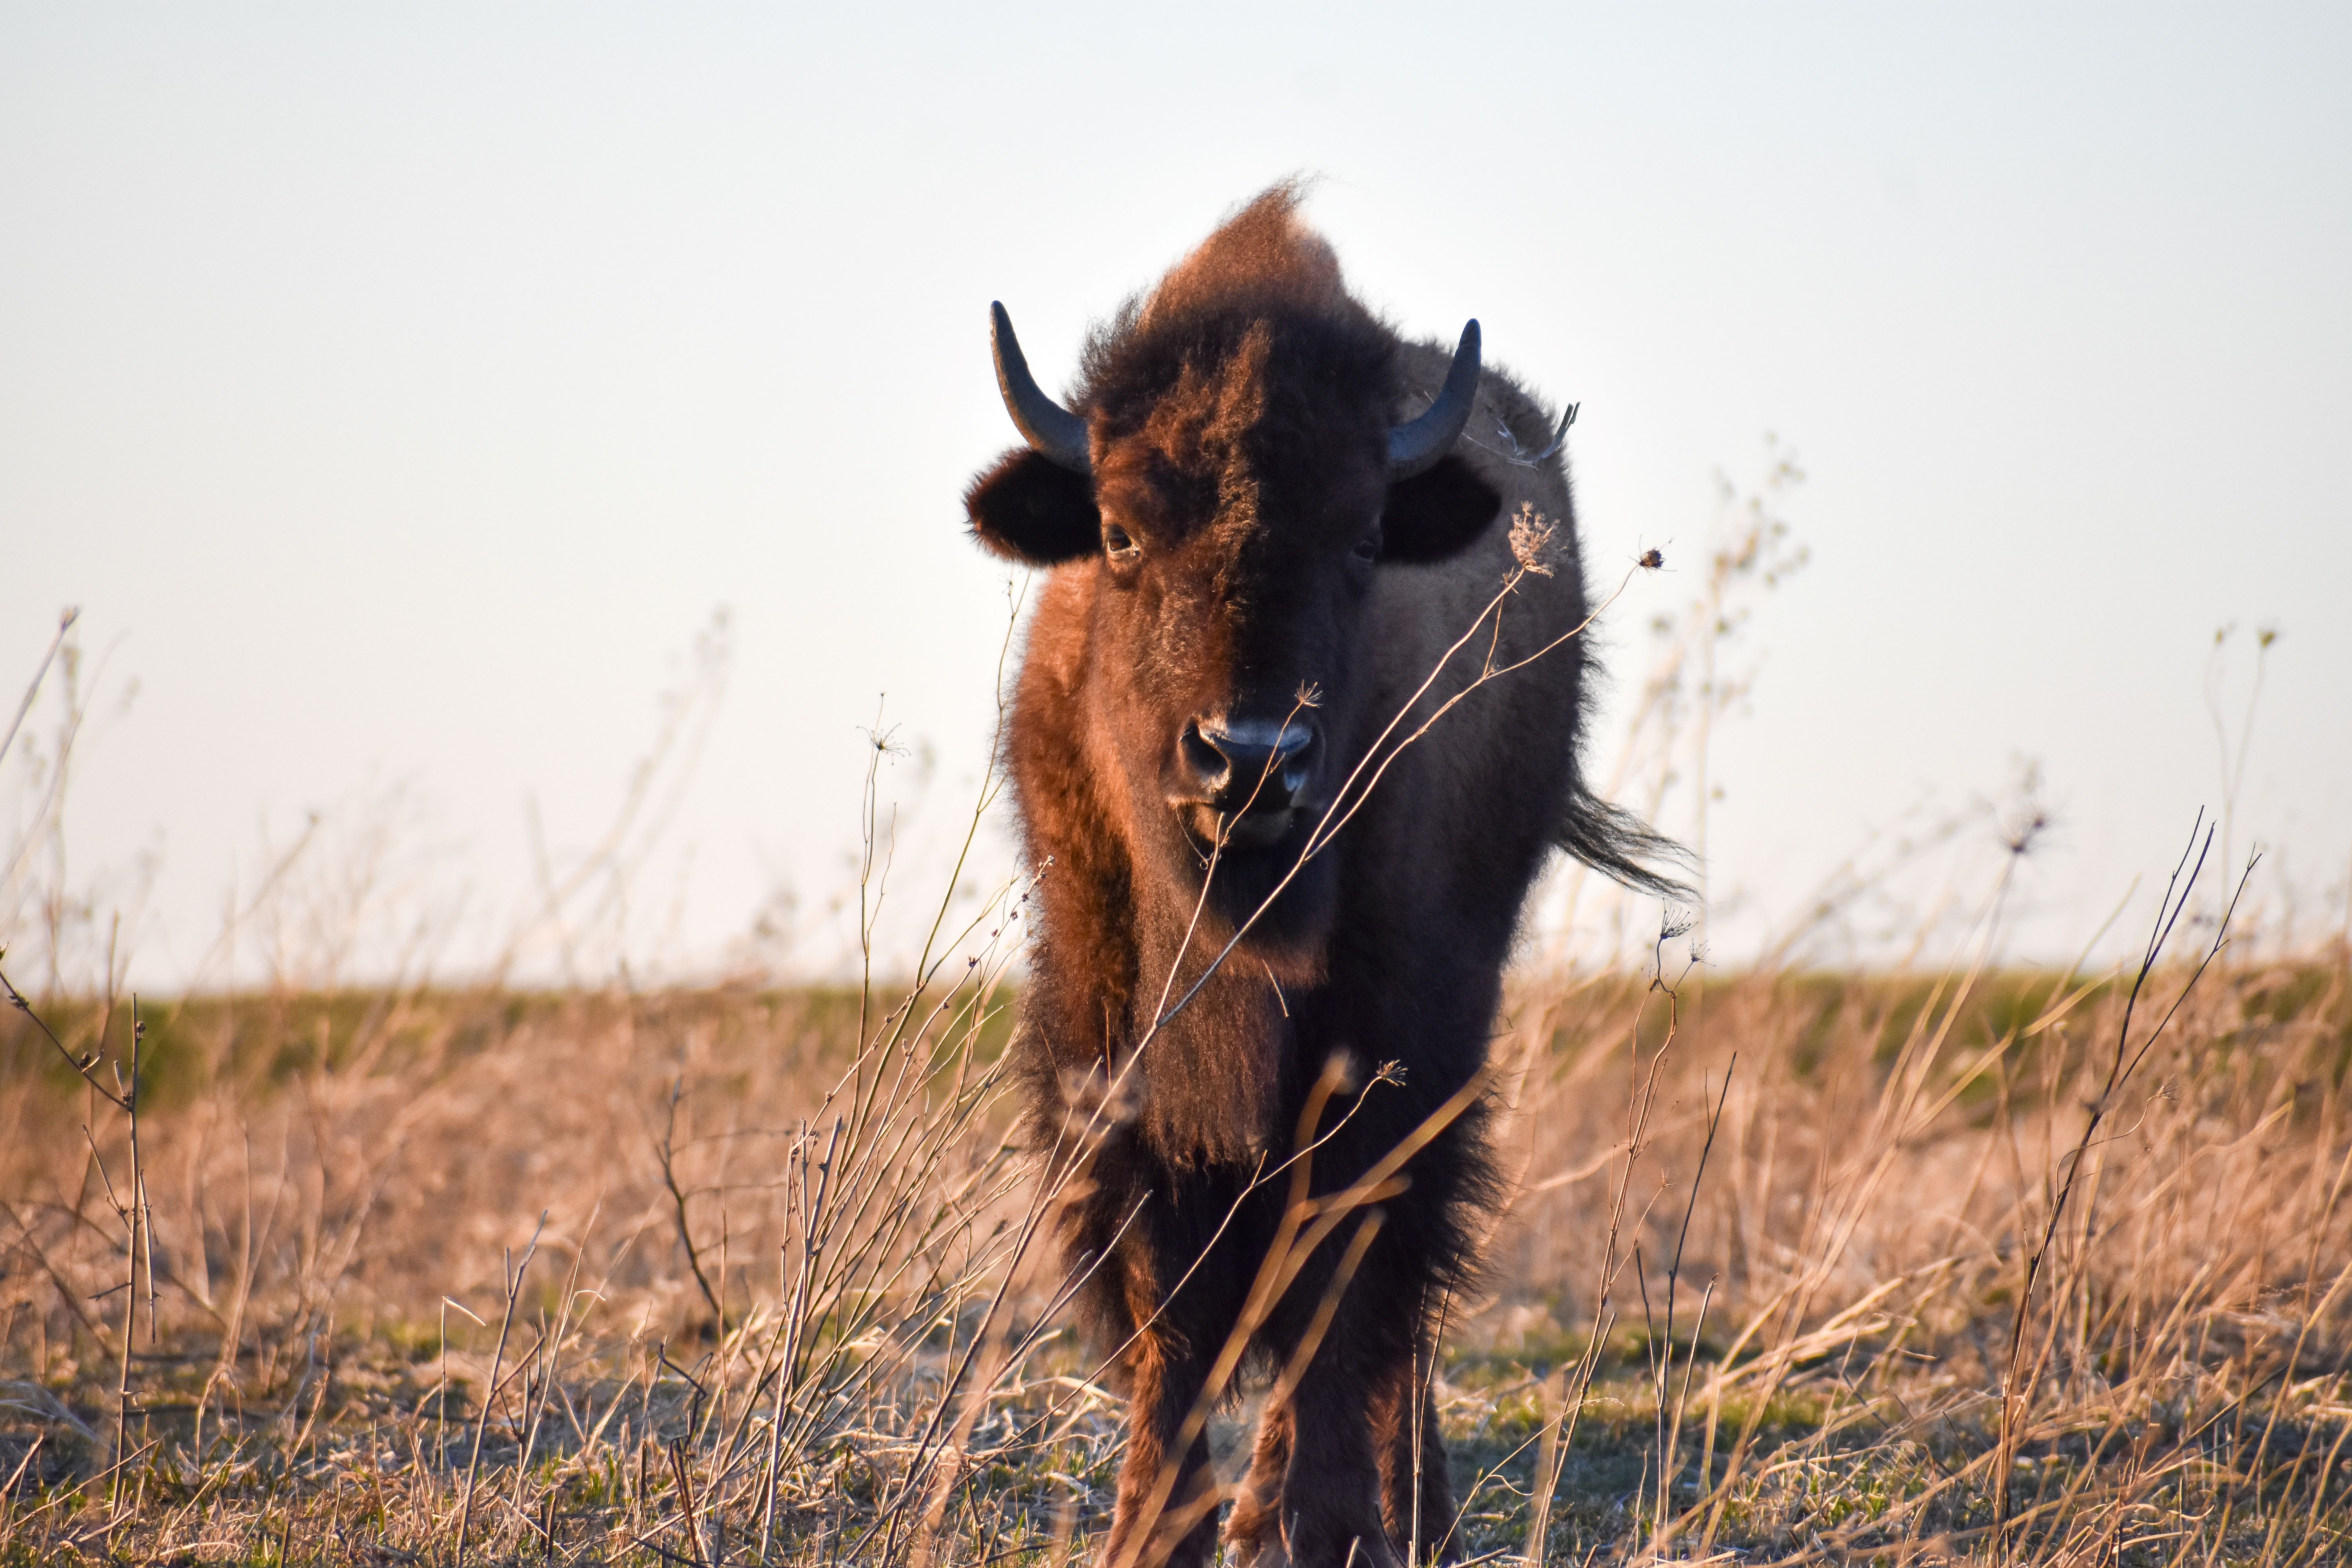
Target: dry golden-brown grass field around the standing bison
1798,1268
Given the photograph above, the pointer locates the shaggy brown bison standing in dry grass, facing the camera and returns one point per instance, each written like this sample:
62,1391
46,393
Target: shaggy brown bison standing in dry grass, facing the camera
1276,902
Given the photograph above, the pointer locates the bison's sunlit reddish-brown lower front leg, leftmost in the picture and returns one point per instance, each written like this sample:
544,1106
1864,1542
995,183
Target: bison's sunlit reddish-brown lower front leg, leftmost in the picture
1168,1487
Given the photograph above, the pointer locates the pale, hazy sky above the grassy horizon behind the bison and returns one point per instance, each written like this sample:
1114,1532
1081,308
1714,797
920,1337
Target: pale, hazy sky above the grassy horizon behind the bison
406,396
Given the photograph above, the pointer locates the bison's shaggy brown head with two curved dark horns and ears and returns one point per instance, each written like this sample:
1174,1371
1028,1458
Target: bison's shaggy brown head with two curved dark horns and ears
1234,478
